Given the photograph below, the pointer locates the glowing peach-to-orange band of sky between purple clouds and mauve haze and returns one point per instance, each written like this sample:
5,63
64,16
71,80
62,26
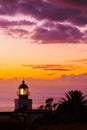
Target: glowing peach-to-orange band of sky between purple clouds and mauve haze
22,59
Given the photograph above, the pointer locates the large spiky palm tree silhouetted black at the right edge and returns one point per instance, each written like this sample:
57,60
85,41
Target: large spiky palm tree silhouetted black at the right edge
74,104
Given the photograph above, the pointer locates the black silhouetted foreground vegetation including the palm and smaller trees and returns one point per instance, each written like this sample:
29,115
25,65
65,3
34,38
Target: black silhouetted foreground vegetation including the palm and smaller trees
70,113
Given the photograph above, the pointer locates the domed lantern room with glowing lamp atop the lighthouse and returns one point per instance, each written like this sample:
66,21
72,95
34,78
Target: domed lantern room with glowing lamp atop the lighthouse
23,91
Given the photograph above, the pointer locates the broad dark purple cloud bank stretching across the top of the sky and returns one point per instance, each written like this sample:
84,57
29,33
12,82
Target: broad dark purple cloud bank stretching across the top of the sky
40,9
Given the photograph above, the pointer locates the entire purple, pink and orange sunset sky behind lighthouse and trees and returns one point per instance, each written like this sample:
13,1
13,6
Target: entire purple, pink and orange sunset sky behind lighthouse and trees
45,43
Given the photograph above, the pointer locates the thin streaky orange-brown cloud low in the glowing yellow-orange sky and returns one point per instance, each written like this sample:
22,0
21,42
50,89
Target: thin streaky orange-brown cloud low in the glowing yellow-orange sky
51,67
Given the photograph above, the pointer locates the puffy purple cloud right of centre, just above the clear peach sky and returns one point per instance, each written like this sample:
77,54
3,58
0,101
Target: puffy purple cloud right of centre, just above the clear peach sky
58,33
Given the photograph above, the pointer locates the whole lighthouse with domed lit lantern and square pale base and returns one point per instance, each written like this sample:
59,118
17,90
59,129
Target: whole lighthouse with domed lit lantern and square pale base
23,101
